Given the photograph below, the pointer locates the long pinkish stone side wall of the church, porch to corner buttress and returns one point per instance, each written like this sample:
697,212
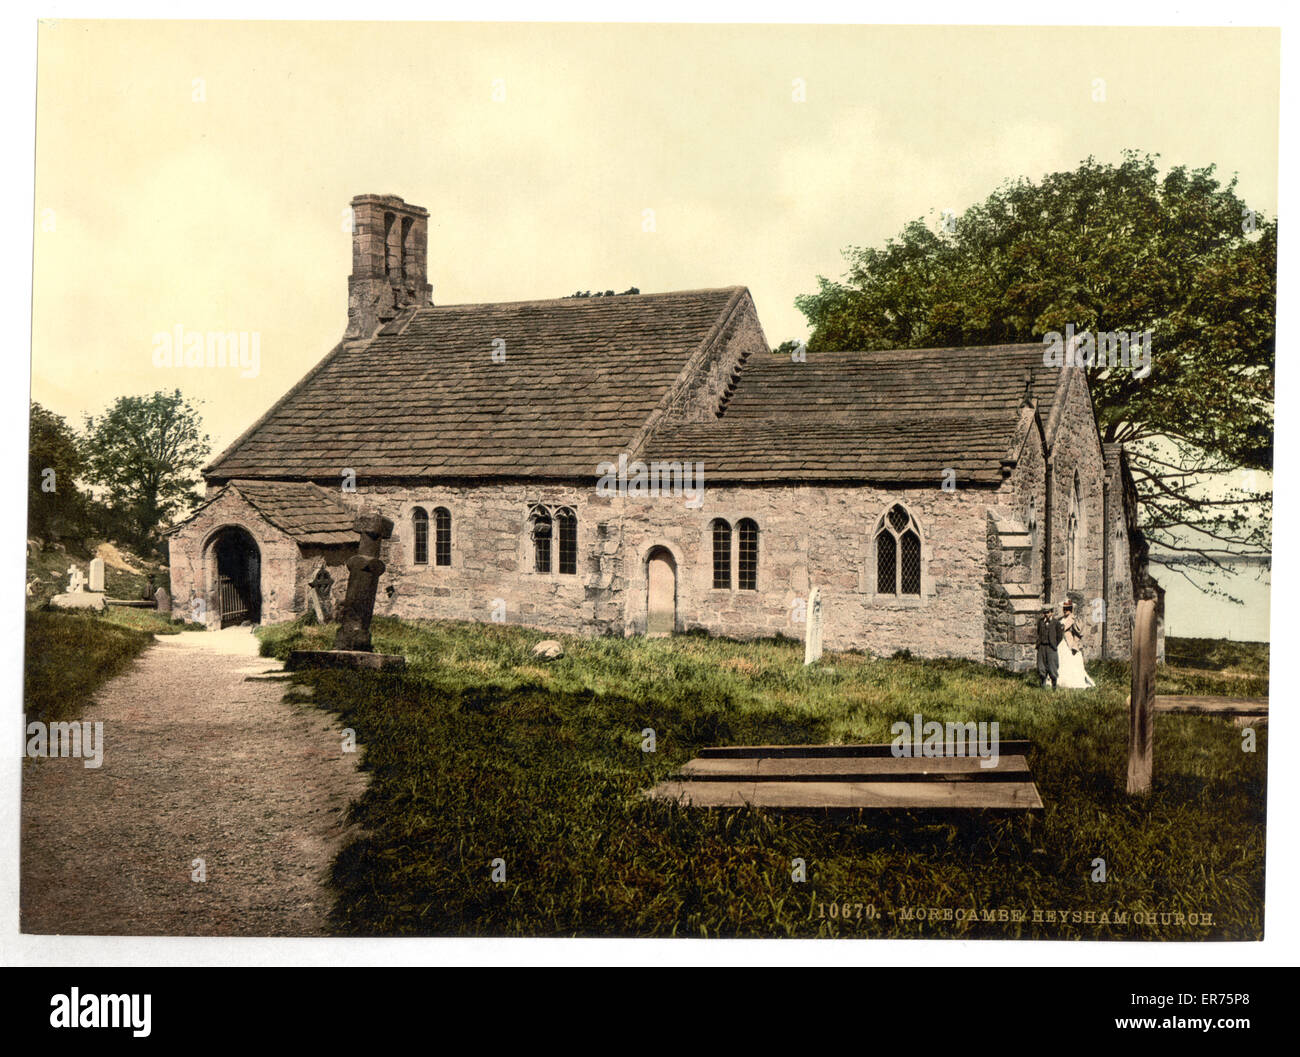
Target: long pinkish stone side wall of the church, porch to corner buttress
808,536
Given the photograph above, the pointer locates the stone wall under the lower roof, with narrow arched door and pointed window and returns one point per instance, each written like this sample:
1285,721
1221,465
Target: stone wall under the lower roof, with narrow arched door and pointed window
822,536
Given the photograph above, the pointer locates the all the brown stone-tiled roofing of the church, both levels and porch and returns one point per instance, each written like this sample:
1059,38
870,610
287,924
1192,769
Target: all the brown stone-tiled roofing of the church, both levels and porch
582,378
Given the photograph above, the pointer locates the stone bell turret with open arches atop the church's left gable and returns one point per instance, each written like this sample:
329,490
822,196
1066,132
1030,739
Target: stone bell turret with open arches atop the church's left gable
389,262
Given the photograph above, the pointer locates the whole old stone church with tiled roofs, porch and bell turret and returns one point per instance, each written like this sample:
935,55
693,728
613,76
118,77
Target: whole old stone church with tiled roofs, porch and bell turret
645,463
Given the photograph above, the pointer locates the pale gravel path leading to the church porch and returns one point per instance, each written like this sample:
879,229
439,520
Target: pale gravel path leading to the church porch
200,763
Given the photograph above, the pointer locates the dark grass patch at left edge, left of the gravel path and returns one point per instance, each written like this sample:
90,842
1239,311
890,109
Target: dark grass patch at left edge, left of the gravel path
70,656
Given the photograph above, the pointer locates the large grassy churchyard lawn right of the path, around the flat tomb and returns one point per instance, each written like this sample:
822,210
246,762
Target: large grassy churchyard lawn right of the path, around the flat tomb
480,752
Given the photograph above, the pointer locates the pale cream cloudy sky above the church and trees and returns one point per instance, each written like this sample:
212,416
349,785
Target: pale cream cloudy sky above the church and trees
198,174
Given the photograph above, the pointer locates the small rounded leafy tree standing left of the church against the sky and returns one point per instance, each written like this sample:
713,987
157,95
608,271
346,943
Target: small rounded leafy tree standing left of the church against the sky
145,453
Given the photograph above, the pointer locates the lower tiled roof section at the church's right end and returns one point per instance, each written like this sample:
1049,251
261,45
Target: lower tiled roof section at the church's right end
891,417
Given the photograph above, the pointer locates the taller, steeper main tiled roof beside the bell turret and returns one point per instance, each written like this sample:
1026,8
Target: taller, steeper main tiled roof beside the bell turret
579,380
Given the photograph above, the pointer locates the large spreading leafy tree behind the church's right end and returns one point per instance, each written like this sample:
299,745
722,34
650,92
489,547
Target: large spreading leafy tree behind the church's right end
1106,249
